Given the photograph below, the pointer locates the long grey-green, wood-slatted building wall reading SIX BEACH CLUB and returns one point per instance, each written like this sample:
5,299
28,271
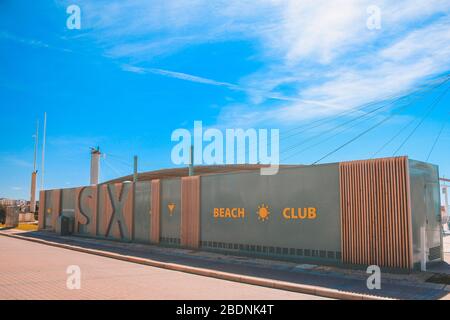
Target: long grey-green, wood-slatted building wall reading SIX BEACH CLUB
296,214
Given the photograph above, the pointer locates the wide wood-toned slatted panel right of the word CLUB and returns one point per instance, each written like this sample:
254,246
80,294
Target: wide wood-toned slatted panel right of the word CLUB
376,212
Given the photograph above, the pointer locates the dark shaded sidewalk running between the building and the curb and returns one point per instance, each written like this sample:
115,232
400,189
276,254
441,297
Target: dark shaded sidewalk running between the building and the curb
397,286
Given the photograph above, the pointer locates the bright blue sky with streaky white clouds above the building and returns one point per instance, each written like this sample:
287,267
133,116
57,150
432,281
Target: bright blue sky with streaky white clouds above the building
137,70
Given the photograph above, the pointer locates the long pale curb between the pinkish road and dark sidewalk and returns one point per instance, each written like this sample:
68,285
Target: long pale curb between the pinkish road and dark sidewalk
281,285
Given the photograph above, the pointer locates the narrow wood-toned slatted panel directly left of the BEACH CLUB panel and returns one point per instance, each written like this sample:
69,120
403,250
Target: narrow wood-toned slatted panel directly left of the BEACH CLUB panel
190,212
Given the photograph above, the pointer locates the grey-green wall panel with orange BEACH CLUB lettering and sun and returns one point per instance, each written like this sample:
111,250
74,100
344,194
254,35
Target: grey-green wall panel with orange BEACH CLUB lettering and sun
292,215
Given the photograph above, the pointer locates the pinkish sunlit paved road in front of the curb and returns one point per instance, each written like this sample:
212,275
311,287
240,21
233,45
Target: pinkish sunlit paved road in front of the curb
35,271
